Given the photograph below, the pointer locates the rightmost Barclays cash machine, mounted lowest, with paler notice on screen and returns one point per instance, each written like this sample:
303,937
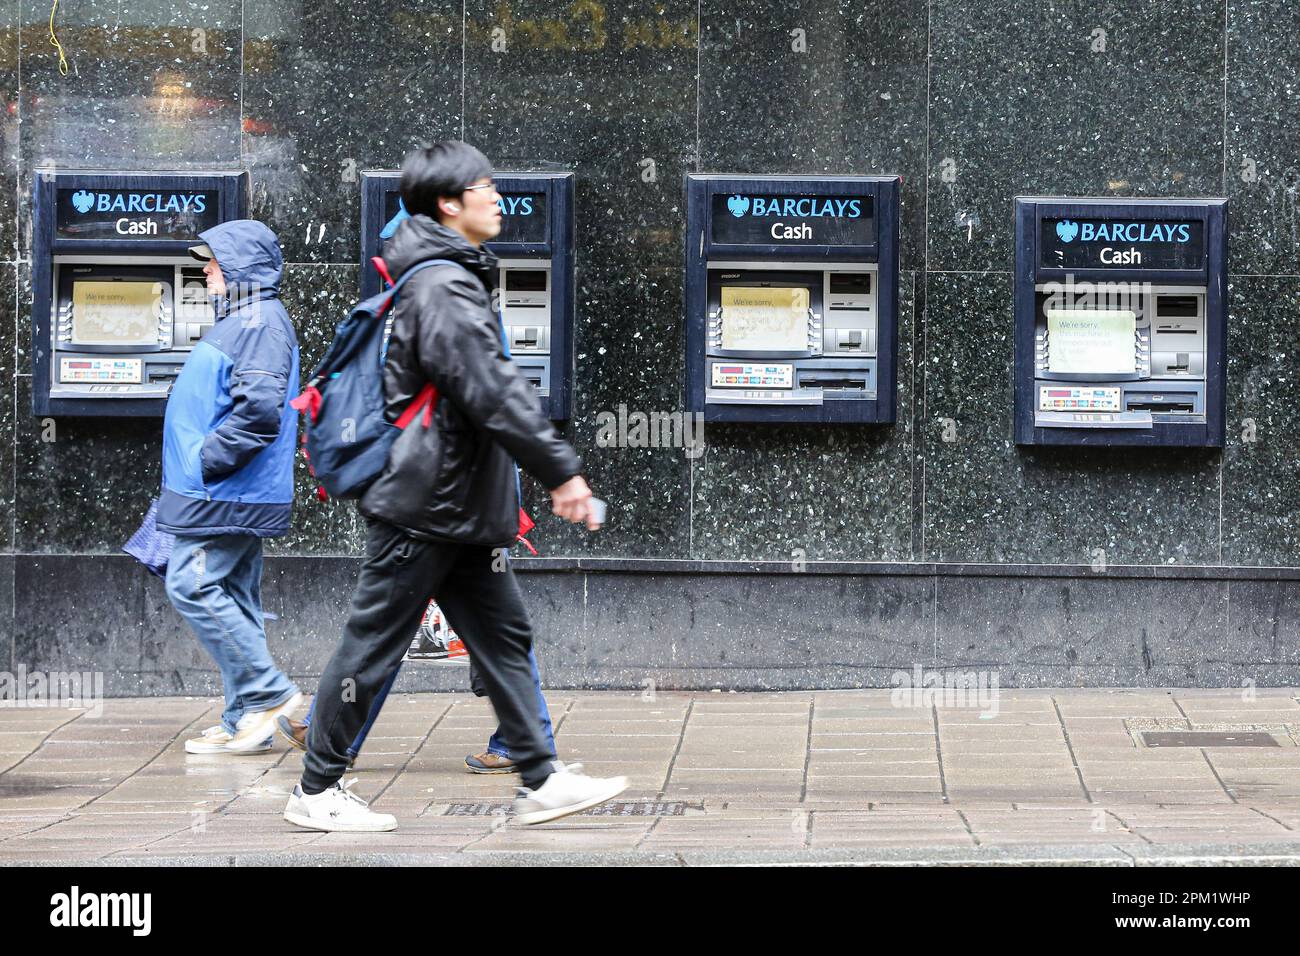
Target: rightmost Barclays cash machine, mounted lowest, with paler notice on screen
1121,321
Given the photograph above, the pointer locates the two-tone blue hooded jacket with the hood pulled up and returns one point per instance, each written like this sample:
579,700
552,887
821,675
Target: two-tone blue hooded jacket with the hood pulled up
229,432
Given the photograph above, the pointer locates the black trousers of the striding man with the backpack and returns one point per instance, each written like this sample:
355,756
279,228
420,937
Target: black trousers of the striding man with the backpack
479,594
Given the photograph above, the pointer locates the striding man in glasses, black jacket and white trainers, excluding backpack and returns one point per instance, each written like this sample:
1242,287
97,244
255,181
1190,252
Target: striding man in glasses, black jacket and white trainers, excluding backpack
445,511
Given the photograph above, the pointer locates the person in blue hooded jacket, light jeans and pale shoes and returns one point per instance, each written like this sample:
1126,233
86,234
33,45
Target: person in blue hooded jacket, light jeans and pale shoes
228,478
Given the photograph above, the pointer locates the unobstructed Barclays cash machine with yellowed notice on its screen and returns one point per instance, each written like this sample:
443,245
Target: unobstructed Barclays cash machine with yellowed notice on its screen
792,299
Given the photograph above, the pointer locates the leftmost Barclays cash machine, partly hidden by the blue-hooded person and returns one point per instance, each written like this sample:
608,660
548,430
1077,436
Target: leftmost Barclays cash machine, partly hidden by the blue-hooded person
118,301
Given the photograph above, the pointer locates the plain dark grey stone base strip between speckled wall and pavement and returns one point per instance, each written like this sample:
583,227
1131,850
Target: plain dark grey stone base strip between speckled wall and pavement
610,624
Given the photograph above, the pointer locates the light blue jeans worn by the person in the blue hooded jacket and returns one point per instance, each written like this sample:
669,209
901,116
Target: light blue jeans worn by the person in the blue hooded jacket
215,583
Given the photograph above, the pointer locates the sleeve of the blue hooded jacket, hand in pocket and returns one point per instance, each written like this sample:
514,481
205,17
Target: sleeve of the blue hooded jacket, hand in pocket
259,382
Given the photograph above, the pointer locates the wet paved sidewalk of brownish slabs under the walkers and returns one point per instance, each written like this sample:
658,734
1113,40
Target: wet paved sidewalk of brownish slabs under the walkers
813,777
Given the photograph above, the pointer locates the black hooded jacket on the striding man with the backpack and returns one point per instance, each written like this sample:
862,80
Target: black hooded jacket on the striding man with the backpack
456,481
